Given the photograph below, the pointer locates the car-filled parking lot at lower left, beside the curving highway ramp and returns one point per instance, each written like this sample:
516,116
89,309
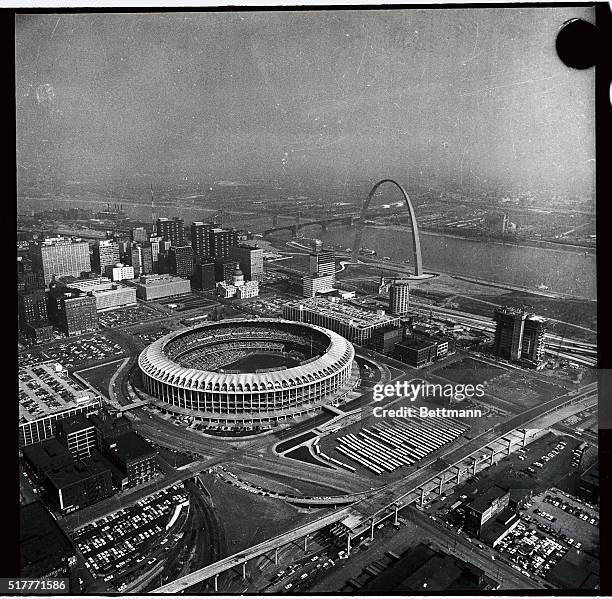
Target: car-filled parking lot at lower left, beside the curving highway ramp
120,547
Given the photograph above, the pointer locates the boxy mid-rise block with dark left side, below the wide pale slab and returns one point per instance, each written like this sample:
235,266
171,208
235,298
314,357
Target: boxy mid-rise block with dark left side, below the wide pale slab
72,312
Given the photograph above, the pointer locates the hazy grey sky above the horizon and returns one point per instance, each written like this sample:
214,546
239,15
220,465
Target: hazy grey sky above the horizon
469,95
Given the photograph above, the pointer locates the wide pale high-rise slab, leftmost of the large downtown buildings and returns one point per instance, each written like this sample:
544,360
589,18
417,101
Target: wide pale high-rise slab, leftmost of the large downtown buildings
60,257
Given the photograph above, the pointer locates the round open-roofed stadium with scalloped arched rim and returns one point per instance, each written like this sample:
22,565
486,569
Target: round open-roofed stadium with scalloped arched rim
248,371
